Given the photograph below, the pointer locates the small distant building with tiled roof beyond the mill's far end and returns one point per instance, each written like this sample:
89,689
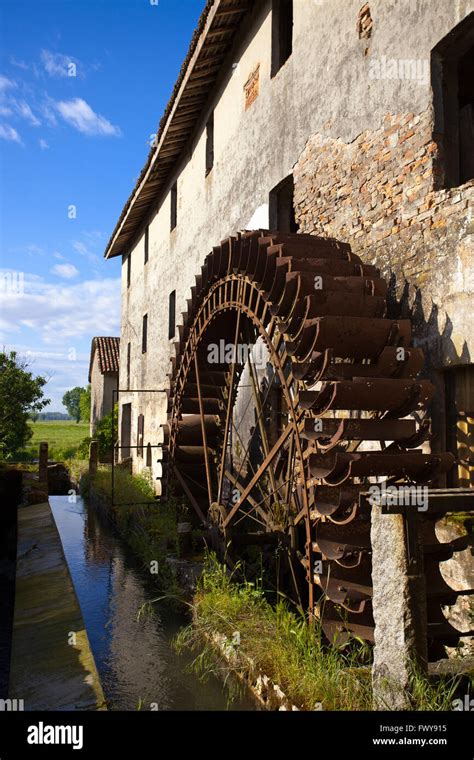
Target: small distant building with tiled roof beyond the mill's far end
103,377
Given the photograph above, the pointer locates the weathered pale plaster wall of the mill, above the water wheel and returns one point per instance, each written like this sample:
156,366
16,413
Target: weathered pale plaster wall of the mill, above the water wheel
323,95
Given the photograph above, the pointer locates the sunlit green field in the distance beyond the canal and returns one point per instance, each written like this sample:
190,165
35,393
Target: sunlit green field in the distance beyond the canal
63,436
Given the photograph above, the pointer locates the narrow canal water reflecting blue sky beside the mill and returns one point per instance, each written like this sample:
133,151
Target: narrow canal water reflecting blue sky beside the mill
137,664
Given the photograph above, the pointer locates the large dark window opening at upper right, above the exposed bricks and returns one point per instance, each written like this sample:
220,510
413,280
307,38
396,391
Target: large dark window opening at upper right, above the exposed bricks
452,73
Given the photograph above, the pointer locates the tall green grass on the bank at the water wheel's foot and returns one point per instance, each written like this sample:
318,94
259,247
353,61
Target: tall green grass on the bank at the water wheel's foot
279,643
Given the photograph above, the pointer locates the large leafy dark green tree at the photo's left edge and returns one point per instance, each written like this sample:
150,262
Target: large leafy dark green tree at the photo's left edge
20,394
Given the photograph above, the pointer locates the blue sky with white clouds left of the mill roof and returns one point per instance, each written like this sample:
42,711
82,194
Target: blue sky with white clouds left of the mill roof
83,84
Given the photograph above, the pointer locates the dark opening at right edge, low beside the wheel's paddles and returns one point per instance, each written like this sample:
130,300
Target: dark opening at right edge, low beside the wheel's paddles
459,397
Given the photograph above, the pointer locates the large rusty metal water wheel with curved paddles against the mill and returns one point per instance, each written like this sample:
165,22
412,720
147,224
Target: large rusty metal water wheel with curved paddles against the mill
334,404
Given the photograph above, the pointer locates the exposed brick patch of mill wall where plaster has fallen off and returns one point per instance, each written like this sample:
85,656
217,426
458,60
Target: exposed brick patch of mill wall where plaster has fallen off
377,193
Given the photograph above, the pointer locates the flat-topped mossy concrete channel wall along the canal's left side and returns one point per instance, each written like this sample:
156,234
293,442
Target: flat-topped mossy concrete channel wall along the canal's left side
52,666
